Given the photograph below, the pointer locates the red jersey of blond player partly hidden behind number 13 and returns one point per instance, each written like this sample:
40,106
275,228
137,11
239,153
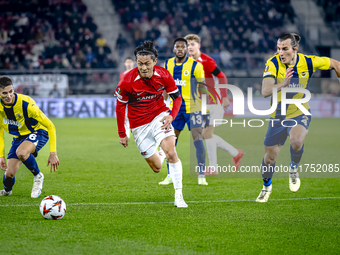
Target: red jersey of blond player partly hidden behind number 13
213,76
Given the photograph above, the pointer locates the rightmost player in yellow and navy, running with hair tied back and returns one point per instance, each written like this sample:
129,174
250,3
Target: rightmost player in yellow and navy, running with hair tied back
290,69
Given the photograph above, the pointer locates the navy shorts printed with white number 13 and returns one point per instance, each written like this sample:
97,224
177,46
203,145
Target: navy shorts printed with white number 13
194,119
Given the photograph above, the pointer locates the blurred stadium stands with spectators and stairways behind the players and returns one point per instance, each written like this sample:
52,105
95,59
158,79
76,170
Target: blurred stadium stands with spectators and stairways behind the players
88,41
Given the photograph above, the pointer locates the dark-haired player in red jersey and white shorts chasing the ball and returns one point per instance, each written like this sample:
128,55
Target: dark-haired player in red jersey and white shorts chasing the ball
142,91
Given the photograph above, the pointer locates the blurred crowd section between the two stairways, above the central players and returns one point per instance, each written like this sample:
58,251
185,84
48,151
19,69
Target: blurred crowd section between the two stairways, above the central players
225,27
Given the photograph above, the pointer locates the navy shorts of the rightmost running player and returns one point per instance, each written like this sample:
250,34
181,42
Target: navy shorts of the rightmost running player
278,133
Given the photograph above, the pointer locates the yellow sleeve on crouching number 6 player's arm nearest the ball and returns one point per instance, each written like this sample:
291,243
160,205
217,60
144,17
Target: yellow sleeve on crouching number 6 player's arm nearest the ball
35,113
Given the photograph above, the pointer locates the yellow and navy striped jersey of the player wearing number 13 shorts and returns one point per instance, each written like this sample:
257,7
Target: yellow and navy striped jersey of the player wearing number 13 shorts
187,75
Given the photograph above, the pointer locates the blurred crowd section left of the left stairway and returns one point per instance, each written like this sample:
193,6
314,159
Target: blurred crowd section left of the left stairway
54,34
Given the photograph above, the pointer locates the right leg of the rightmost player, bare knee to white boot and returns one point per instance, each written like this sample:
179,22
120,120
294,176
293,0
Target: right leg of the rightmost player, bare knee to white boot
297,135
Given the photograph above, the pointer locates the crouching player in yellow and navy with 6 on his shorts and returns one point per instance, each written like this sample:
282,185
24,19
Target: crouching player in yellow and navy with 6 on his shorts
21,117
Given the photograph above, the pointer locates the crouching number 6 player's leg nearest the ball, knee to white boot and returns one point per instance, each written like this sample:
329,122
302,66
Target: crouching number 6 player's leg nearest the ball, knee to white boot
24,153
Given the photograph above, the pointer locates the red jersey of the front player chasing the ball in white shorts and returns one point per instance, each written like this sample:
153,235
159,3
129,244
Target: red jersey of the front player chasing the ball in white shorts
143,96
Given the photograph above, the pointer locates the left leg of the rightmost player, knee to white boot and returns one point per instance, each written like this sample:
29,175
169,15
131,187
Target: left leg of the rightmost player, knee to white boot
267,170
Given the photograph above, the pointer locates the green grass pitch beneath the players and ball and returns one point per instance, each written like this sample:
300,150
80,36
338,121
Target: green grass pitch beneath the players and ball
95,168
